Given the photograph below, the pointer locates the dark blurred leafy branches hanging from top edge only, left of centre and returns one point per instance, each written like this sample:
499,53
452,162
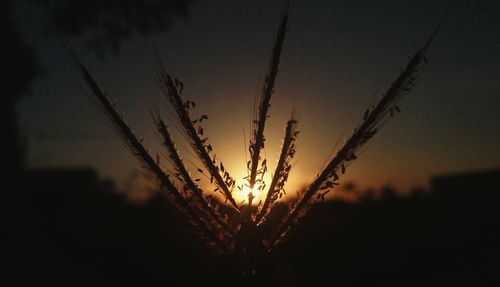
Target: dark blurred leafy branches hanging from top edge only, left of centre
105,24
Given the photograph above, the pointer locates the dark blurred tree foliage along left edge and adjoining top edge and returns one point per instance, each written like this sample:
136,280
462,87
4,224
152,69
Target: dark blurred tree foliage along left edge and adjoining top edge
102,25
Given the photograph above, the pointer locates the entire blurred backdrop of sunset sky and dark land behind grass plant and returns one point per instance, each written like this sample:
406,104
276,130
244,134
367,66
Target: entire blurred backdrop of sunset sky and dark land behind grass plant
417,207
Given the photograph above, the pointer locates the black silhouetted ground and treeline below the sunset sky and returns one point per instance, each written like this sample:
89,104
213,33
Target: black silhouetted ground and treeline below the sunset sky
68,228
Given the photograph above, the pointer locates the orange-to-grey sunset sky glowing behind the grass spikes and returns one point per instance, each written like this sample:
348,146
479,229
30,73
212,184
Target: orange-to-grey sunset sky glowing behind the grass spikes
339,57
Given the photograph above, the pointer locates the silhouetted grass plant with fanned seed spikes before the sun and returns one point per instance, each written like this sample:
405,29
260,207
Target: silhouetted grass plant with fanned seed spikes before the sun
235,227
